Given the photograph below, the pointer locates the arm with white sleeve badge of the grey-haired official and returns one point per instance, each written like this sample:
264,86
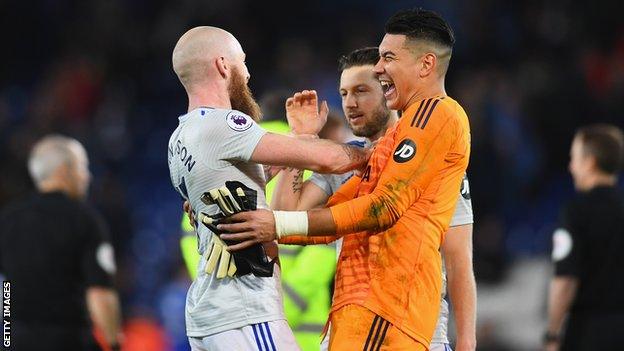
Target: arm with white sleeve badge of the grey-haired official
98,266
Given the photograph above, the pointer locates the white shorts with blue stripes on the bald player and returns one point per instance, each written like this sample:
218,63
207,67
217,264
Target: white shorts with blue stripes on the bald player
266,336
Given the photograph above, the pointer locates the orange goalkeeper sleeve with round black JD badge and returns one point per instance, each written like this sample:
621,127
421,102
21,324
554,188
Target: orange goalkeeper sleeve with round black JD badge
419,153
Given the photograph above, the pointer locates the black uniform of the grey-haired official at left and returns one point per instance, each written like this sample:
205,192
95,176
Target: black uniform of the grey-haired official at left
51,249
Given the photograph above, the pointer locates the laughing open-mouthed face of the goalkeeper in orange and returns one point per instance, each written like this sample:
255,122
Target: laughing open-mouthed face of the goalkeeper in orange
398,71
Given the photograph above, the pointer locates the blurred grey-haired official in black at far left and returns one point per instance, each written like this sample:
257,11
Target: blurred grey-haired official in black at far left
54,250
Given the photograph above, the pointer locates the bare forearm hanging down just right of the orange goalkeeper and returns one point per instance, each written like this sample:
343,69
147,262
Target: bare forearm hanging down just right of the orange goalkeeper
457,250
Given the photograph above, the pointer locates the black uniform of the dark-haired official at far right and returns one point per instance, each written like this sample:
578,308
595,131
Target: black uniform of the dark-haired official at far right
590,246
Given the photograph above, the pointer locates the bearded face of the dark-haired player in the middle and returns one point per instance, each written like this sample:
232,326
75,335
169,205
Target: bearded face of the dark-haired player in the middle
362,101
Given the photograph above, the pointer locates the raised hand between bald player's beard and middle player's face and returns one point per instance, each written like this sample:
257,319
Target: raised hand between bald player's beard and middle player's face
303,113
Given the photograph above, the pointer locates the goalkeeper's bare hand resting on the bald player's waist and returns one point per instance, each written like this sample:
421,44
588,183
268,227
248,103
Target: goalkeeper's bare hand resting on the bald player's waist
249,228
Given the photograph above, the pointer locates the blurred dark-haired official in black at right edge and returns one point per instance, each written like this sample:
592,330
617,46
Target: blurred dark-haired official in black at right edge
588,249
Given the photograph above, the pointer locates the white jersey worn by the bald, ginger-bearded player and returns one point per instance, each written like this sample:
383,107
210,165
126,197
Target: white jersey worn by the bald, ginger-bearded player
210,147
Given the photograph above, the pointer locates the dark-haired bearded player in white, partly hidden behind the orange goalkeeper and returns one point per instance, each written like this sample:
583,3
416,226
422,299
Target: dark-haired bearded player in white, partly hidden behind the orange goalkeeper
368,117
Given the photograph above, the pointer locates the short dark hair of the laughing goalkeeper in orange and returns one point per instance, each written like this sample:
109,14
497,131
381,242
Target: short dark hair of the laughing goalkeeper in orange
421,24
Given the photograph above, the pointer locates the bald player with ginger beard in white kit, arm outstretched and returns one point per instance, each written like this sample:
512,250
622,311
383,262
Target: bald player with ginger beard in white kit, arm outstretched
218,140
